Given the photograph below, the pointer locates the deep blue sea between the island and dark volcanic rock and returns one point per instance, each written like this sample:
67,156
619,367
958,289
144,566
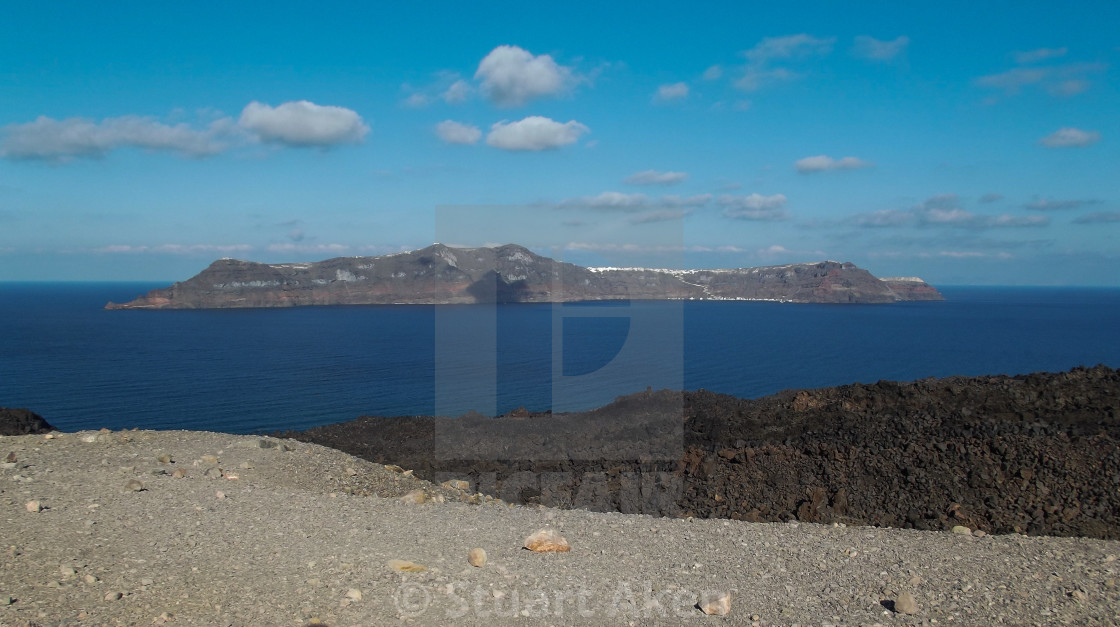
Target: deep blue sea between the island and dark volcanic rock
262,370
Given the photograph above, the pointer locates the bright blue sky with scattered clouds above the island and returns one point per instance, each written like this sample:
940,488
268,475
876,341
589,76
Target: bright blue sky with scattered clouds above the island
966,144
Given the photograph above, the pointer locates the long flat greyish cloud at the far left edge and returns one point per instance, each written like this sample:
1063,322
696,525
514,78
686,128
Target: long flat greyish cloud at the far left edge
61,141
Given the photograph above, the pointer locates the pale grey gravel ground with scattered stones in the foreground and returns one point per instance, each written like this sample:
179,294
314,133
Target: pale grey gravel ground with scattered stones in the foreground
263,531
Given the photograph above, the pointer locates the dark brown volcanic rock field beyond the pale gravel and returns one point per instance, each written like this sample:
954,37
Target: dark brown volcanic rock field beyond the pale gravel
1034,454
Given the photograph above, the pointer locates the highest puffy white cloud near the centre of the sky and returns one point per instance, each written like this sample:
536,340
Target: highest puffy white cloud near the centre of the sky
511,77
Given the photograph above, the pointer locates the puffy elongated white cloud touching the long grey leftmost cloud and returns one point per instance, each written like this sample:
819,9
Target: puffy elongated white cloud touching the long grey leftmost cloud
303,124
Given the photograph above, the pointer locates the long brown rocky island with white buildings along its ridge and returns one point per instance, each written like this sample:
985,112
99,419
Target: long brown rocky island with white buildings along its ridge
441,275
